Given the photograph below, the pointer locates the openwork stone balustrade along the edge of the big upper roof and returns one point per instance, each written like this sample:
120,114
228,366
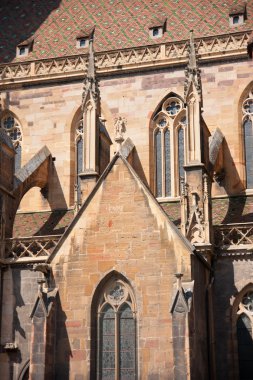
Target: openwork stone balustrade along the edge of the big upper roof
170,54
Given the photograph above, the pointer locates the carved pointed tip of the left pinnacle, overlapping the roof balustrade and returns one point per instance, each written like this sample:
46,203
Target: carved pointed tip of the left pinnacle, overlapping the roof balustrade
90,81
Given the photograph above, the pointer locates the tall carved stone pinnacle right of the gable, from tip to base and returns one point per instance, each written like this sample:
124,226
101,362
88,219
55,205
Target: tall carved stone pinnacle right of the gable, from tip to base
195,197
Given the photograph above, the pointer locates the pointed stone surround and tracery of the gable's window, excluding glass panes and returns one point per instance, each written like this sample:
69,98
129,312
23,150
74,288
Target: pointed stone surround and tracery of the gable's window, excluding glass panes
111,283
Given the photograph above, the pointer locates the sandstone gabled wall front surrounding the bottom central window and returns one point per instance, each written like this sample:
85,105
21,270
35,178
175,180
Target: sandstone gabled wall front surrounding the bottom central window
119,229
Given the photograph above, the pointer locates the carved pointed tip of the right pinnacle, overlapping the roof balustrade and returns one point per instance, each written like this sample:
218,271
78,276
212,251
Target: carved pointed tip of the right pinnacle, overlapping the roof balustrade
192,72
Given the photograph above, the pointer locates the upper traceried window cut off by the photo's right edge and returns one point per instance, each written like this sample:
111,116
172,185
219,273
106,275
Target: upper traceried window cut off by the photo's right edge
247,121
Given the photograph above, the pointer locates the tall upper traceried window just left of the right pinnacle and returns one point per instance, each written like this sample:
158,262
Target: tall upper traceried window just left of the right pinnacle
169,146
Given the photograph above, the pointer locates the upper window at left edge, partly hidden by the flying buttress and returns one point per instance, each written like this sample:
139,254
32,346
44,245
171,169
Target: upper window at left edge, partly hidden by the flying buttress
13,129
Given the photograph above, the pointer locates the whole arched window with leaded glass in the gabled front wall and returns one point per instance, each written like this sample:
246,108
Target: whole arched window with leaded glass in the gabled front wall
116,333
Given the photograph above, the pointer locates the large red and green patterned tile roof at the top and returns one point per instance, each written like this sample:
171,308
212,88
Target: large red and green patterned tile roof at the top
55,24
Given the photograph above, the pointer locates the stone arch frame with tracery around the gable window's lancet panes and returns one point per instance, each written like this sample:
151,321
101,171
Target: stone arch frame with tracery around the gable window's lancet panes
114,294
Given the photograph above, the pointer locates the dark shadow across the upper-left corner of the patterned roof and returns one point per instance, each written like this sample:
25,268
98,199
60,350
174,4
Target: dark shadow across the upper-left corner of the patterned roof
20,20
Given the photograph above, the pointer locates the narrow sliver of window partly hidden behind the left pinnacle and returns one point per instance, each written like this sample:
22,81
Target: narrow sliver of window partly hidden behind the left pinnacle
79,153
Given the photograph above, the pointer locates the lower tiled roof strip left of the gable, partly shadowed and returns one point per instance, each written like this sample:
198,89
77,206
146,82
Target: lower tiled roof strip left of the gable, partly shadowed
42,223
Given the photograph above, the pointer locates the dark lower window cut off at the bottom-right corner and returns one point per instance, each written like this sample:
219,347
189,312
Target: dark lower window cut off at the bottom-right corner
244,336
